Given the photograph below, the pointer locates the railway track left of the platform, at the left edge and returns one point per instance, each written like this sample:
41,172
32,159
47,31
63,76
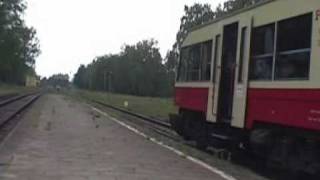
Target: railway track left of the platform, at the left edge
11,106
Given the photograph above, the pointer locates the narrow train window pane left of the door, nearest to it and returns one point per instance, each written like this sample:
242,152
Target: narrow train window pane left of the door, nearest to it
206,57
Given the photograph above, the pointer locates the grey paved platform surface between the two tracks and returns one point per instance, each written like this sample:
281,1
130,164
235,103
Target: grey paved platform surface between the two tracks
59,139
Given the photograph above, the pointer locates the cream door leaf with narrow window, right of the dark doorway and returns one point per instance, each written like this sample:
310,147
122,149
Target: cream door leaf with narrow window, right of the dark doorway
242,74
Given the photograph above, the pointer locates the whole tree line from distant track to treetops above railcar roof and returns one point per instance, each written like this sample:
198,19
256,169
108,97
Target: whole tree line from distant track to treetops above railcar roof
139,69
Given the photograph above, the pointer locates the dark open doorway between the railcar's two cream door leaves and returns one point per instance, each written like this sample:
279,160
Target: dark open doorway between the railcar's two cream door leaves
227,74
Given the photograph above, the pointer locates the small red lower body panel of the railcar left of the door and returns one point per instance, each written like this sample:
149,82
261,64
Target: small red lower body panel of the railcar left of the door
195,99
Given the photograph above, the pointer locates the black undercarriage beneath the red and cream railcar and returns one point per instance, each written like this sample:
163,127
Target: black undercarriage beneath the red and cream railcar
279,147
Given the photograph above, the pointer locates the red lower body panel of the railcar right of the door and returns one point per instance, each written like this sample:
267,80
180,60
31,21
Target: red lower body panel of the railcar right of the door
289,107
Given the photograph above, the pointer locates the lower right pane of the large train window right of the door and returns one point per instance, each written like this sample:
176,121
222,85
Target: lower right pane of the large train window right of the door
293,66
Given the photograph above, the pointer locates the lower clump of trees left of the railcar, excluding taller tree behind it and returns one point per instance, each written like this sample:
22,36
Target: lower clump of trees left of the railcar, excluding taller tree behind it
136,70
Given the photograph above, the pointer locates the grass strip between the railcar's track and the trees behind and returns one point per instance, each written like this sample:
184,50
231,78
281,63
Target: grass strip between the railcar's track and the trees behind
153,107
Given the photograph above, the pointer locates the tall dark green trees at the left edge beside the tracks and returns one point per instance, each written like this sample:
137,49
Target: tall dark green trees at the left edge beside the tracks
18,43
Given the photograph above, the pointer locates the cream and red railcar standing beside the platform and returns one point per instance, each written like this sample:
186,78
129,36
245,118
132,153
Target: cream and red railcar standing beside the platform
252,80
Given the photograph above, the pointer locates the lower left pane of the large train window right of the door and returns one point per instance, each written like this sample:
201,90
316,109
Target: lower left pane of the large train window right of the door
261,68
